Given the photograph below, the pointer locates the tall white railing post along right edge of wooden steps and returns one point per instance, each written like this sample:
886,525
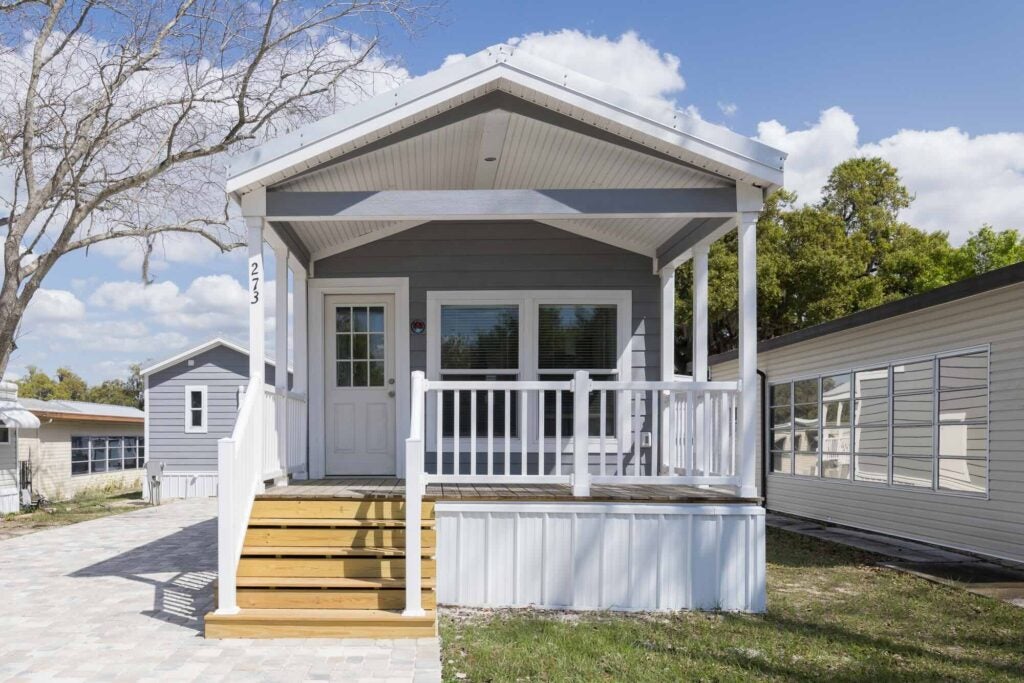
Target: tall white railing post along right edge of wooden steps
414,499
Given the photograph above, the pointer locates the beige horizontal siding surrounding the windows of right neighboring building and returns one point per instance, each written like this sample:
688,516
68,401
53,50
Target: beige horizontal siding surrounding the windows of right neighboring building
993,526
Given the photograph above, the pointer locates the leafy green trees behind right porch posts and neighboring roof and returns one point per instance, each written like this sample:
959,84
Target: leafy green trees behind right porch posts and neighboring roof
846,253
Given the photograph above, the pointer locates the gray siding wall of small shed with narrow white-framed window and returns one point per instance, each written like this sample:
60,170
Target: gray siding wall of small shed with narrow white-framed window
223,370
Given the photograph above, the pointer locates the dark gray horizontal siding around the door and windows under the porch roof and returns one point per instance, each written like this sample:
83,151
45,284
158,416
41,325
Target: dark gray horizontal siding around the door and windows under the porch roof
516,255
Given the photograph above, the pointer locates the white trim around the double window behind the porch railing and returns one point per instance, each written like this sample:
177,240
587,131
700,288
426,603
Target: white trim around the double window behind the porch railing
530,303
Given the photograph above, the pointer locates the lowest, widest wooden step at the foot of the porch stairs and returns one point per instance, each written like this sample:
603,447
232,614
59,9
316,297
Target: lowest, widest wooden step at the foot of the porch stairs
320,624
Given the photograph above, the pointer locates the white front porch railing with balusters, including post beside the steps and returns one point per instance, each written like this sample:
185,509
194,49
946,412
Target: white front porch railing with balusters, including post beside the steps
579,433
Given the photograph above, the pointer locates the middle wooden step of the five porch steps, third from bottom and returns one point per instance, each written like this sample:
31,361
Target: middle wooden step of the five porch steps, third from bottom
362,568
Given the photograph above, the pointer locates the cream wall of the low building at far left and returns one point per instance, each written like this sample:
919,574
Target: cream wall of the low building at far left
49,449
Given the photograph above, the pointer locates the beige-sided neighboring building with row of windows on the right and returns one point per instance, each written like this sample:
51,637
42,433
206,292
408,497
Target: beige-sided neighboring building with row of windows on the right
906,419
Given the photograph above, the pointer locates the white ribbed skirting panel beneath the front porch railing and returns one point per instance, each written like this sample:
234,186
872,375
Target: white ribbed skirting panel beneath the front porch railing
623,557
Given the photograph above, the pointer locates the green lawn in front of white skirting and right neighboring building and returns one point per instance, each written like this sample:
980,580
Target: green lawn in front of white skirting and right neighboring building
832,616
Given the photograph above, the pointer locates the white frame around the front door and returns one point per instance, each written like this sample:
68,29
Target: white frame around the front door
319,290
